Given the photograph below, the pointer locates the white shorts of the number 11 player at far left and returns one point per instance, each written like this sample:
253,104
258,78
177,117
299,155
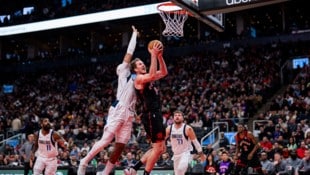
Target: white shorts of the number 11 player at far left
49,164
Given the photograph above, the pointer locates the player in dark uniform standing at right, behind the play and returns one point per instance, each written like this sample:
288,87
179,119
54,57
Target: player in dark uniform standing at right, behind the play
246,151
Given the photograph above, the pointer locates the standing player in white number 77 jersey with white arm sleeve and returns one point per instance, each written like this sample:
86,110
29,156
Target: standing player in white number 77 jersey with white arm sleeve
181,138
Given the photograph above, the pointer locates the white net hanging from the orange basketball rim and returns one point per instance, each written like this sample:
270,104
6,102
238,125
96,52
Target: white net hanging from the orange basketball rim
174,22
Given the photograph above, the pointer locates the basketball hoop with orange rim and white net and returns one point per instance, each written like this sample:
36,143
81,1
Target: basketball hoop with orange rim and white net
174,18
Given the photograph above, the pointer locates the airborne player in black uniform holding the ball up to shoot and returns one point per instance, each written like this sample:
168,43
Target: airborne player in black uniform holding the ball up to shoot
152,119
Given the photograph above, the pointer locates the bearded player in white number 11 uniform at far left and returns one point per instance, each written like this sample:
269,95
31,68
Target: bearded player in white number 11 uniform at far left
46,149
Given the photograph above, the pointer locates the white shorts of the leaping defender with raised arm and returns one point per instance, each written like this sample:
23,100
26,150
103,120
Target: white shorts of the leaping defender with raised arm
119,121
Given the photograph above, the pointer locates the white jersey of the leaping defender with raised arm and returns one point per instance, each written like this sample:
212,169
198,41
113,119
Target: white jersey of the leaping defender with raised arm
126,94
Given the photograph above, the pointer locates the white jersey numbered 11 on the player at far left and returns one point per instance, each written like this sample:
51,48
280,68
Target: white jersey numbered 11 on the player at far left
47,148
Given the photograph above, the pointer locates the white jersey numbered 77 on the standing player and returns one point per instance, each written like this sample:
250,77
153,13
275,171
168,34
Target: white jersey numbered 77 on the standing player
179,142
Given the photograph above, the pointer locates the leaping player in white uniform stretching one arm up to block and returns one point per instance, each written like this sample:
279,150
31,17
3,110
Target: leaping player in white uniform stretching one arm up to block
120,115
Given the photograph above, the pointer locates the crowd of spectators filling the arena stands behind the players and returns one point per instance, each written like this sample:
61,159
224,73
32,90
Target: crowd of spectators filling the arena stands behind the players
208,87
